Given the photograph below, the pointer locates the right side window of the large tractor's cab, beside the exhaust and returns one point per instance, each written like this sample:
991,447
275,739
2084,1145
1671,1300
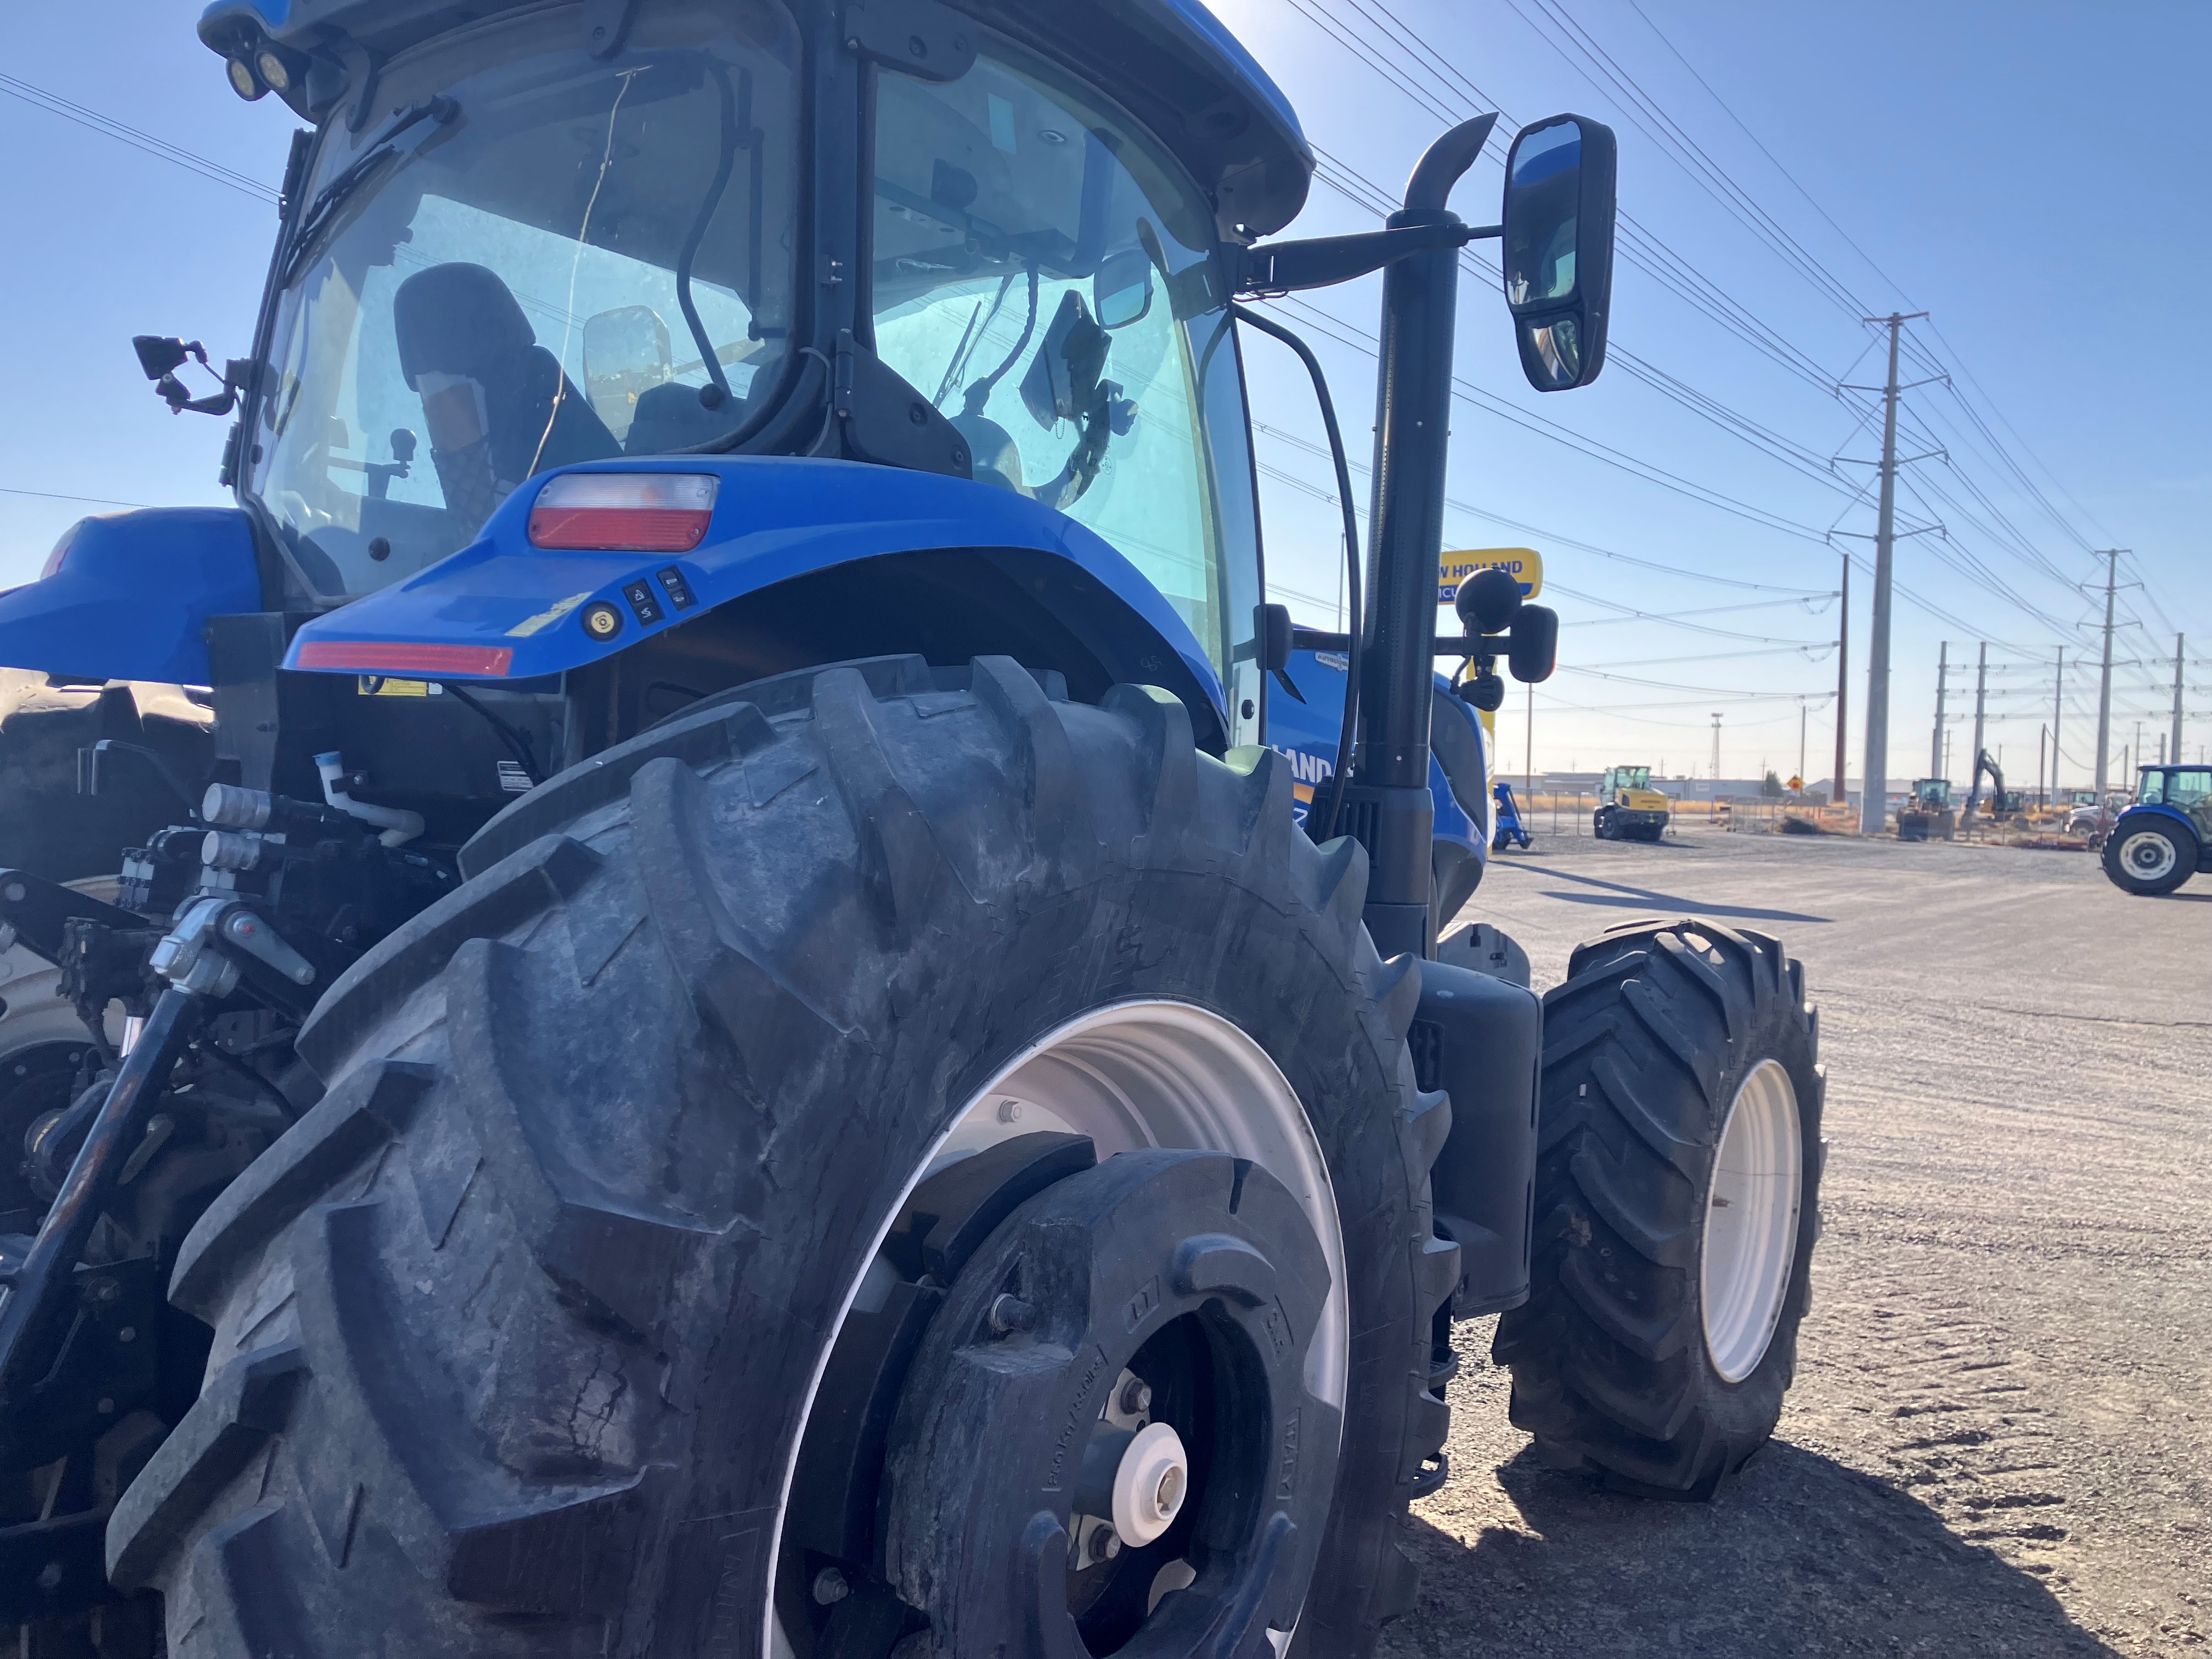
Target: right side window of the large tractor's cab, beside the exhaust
1043,271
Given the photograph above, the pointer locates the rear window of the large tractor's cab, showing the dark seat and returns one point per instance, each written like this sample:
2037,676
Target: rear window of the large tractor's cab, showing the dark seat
525,260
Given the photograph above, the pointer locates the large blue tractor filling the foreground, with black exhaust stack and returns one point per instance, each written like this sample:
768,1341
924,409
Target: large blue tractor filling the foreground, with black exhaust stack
729,1041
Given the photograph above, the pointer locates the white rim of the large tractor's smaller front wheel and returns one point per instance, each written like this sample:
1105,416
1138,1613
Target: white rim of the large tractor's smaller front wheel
1753,1222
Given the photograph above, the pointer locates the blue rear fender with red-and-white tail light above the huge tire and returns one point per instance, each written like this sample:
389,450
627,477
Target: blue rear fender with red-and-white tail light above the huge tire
775,519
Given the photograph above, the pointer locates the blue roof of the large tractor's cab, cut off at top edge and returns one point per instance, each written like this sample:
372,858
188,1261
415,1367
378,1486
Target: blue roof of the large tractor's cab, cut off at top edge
1167,61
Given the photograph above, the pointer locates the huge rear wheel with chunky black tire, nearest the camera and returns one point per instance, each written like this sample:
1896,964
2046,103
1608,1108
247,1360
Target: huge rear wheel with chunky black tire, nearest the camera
521,1328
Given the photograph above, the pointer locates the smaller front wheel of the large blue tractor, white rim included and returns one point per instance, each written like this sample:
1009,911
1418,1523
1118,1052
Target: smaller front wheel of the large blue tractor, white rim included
1678,1207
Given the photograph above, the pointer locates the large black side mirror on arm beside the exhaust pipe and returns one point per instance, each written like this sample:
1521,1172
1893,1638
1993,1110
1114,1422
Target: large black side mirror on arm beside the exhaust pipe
1558,249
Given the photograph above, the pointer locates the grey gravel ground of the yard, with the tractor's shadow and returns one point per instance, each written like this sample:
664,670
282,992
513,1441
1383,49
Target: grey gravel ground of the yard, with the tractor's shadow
2001,1434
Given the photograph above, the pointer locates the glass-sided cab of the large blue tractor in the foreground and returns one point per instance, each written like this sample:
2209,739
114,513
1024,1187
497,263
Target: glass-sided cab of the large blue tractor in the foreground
678,229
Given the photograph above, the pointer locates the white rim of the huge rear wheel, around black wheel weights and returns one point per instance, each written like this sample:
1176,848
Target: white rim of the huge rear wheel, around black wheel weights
1134,1076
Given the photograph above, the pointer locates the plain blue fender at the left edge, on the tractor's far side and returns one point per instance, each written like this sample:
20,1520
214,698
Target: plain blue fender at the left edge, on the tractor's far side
134,596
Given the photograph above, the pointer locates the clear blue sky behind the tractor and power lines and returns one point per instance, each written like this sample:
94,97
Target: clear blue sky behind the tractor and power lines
2030,174
